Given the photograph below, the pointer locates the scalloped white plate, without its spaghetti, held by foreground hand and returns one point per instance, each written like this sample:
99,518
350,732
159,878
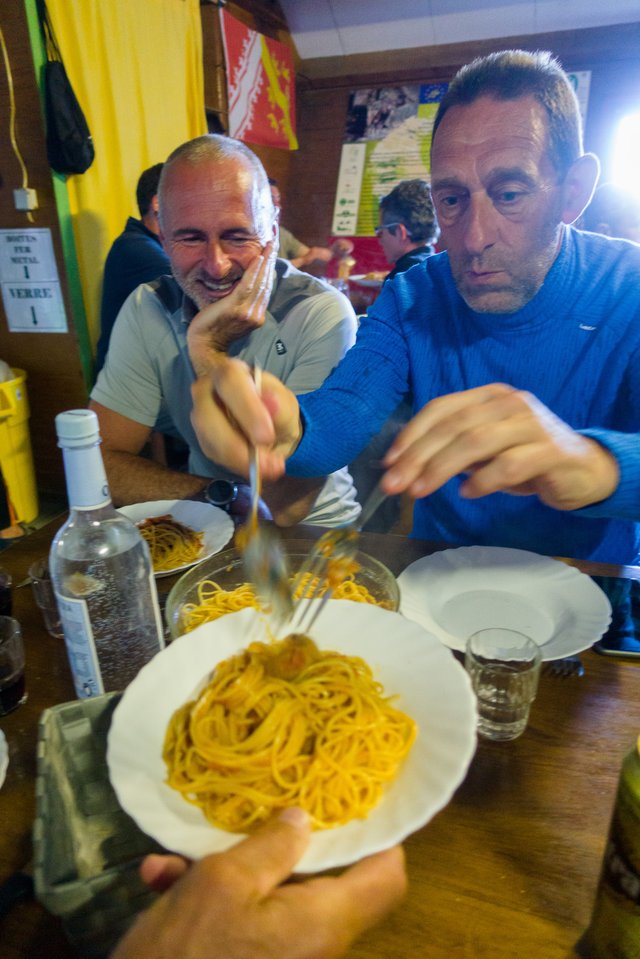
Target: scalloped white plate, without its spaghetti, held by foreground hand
423,678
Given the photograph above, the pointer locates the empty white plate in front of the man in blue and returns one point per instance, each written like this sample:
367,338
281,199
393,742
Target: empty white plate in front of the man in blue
455,592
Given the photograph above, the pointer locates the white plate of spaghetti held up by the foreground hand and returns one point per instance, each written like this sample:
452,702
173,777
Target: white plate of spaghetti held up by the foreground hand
373,739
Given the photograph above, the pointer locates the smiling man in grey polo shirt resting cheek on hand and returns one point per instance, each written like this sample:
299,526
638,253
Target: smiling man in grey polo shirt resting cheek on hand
228,294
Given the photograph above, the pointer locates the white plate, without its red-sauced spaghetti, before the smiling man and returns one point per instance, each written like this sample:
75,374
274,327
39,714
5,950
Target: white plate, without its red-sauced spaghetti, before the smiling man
216,525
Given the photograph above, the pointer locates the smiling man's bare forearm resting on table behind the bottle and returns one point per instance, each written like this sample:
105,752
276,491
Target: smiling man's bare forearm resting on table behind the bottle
133,479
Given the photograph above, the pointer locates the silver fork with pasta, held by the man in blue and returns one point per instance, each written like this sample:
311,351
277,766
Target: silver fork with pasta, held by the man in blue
338,547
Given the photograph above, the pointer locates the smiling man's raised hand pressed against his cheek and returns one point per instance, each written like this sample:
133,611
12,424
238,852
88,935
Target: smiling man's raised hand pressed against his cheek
219,324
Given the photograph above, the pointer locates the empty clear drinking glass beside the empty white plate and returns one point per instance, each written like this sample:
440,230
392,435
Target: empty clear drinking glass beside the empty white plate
504,666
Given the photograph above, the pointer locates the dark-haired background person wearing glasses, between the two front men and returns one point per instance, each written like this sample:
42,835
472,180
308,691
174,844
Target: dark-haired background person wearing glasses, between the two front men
408,225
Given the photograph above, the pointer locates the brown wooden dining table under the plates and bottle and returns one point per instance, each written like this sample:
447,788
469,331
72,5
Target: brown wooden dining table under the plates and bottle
507,871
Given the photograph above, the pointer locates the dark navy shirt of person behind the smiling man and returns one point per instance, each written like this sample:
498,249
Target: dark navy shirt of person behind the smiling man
135,257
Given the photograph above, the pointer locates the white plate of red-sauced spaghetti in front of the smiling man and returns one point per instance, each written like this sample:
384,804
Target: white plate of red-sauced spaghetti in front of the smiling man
180,533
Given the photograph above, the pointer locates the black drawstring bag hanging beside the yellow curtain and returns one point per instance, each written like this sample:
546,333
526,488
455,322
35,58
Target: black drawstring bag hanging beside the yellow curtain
69,141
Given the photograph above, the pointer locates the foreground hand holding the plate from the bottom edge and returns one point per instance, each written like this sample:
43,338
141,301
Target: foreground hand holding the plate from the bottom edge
237,904
